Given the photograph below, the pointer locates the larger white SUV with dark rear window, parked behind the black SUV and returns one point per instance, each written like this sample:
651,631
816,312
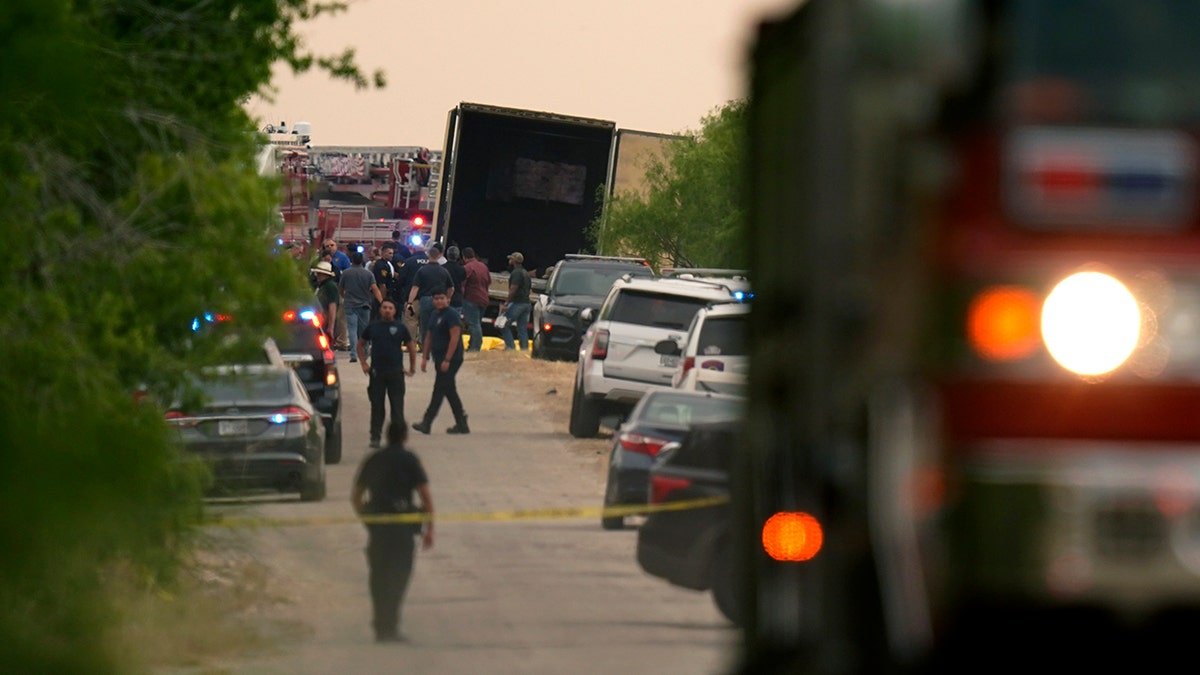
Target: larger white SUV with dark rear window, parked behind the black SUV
619,362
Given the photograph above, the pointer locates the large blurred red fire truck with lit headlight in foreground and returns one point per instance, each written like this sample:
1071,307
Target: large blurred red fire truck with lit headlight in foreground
974,433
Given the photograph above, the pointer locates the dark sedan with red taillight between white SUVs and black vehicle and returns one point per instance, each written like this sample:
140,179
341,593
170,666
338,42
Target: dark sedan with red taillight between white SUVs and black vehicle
662,417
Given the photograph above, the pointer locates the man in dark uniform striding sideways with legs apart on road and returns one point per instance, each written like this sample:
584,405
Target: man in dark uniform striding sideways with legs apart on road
445,341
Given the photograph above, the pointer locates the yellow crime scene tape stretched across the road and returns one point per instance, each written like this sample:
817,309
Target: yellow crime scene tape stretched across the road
519,515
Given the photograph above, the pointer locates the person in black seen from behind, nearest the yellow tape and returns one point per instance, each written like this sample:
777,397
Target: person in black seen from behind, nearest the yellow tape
385,487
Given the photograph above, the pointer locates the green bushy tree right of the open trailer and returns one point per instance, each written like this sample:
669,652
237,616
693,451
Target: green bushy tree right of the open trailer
693,214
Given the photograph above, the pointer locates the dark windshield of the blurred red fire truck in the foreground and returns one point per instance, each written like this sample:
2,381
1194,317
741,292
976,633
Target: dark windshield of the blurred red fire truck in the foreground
1106,61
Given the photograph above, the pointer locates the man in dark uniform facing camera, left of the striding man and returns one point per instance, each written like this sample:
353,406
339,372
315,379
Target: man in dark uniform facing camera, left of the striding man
388,339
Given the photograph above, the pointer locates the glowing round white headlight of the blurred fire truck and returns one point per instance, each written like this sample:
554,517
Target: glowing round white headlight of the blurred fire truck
1090,324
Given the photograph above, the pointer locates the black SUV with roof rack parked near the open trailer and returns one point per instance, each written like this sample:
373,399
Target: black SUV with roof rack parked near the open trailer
574,292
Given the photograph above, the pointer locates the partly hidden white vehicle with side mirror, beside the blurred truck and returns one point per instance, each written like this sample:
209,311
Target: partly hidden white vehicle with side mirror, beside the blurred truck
713,355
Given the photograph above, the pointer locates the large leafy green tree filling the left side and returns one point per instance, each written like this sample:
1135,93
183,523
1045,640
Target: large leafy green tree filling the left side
130,206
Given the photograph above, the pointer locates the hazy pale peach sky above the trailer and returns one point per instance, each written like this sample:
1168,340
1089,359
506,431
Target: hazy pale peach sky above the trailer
649,65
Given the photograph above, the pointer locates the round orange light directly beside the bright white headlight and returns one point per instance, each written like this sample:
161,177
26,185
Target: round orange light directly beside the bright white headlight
1005,324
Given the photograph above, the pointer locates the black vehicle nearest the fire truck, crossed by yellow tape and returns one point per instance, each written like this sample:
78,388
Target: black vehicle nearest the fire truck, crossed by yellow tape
692,548
